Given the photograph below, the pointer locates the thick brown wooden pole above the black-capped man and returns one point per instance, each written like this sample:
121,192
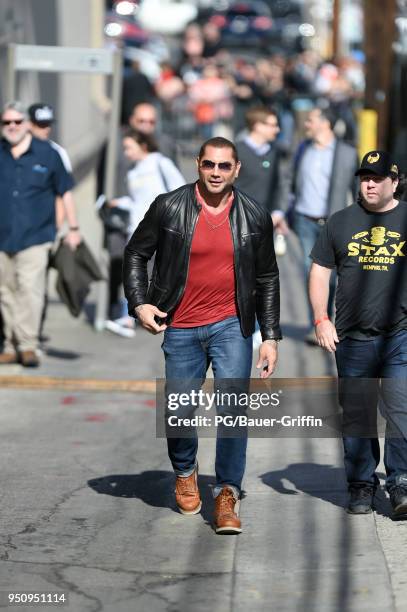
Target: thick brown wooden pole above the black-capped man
379,20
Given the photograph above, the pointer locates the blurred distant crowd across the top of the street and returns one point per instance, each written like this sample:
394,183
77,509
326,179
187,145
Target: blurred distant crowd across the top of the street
207,89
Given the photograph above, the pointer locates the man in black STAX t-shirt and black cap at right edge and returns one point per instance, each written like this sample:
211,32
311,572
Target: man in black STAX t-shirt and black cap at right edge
367,244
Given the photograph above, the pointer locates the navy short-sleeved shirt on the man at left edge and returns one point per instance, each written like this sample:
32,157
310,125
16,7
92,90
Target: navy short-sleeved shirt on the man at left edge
28,187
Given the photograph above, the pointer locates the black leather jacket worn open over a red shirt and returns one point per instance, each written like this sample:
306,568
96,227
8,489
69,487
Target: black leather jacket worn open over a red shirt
167,230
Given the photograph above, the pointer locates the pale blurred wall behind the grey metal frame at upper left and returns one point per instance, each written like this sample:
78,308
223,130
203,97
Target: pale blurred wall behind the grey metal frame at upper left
79,100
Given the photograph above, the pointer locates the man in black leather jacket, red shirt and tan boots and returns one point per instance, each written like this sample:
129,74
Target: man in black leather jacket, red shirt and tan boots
214,271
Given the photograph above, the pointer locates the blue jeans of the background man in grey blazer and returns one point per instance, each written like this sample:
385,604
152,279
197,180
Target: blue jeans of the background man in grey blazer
308,232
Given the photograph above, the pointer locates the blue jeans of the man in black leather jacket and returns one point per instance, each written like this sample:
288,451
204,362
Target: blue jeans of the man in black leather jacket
188,353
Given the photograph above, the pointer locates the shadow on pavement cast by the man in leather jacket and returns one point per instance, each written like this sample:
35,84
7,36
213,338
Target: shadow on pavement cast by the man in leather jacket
155,488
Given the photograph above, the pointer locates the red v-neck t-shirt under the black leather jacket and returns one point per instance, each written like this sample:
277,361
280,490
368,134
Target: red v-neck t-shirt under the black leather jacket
209,294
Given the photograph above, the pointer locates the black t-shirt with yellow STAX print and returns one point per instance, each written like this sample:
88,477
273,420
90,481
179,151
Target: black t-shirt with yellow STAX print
369,251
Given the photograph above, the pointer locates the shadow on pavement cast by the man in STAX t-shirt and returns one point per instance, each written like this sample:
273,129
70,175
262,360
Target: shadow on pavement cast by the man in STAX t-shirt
325,482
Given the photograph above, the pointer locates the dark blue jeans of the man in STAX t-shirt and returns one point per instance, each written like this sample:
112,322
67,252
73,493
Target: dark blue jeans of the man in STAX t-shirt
384,357
